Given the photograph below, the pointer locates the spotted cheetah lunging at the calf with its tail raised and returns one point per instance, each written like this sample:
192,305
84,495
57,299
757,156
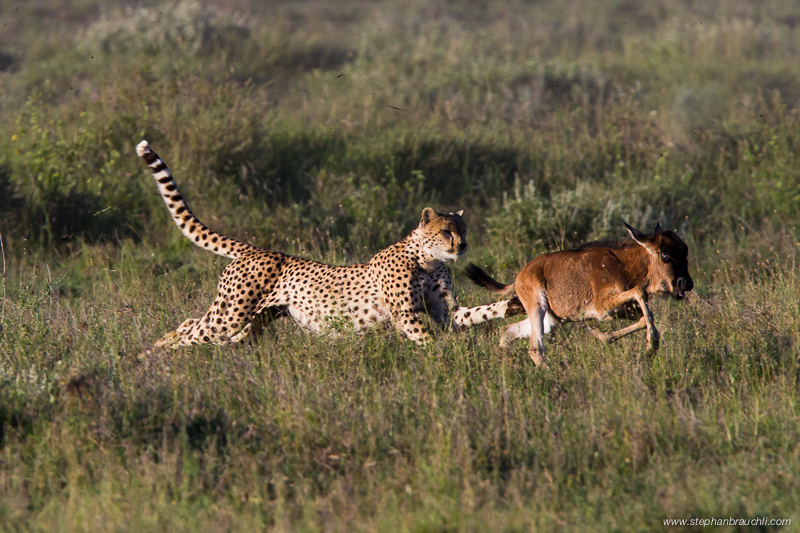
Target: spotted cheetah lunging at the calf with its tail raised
259,285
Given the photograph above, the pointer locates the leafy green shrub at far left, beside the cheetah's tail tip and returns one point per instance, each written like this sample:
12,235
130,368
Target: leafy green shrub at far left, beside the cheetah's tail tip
66,179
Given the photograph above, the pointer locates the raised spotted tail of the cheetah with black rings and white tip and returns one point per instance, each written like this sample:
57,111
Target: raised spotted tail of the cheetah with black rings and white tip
190,226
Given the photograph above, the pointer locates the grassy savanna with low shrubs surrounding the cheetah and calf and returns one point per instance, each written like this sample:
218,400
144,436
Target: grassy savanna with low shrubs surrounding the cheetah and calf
323,129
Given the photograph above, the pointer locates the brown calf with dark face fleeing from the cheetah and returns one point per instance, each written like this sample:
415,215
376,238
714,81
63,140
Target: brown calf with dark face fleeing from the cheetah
599,280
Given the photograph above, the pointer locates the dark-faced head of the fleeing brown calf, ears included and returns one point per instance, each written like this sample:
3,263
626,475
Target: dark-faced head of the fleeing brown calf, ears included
669,261
